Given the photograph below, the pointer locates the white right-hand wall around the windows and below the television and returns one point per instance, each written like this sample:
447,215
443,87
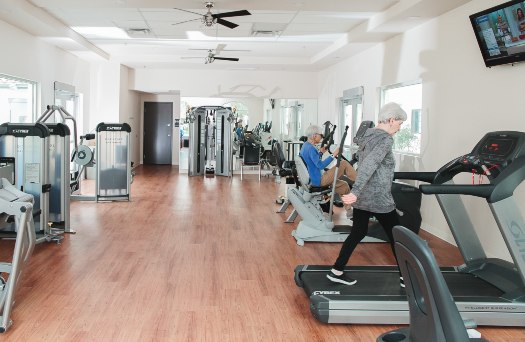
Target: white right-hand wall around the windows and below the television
462,100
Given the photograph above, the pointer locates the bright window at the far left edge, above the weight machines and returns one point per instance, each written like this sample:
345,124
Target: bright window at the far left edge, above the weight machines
17,100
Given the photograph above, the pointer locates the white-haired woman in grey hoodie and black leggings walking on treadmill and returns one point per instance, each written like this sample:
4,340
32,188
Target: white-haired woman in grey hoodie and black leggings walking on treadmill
371,194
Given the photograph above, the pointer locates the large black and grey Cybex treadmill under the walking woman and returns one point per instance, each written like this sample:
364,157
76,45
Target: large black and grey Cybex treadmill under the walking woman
487,291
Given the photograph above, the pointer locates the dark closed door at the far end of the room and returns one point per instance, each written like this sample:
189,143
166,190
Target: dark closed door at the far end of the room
158,130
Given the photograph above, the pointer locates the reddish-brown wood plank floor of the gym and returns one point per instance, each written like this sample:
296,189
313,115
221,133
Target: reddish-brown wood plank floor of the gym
188,259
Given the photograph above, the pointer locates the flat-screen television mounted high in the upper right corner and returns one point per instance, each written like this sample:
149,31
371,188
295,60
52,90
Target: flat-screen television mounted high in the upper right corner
500,32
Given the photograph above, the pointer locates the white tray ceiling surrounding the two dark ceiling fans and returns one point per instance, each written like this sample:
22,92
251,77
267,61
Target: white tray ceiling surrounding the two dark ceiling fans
310,34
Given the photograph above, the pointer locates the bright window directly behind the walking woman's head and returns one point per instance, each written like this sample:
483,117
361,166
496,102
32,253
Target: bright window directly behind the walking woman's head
409,96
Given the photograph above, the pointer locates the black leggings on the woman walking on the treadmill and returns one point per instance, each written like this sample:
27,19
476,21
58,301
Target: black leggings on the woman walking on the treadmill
359,231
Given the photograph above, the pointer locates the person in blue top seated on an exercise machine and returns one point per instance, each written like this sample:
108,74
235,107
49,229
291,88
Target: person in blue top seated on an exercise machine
312,157
